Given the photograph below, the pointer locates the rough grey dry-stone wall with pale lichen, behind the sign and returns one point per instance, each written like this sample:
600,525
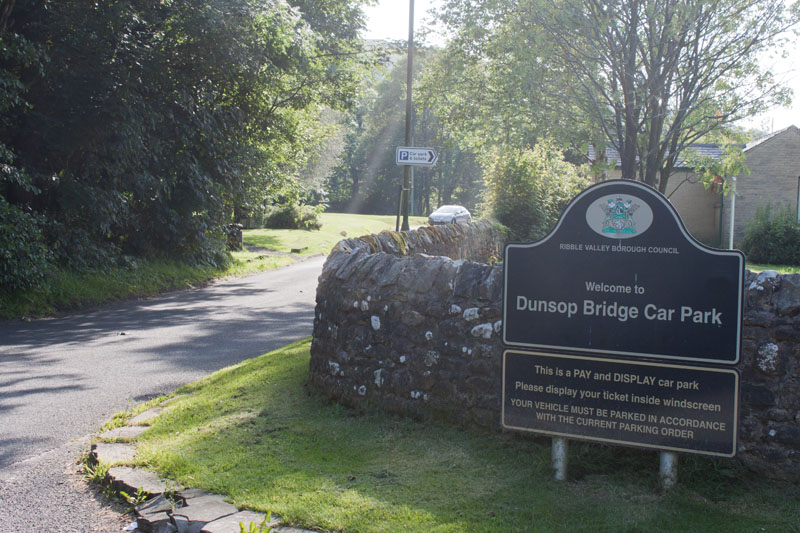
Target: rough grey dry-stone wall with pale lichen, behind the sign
421,335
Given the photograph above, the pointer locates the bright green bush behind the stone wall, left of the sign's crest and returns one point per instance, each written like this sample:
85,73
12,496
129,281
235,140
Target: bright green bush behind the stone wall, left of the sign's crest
526,190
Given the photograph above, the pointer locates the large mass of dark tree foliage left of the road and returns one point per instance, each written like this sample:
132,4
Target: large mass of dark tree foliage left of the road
143,128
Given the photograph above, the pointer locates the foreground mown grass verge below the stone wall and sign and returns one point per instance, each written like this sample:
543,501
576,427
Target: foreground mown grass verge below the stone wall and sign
255,433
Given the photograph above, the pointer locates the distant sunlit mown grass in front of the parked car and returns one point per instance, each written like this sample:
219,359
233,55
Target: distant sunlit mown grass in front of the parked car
322,240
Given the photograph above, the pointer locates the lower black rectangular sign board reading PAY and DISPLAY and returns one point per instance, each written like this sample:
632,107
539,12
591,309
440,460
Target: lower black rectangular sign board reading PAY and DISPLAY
652,405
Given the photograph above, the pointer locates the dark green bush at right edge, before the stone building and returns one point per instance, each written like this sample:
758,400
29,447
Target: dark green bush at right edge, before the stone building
772,237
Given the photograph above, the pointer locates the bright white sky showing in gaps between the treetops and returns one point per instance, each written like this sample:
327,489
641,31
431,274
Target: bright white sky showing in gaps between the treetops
388,19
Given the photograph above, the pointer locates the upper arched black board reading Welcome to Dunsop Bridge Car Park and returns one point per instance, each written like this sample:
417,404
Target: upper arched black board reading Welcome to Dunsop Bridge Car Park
620,275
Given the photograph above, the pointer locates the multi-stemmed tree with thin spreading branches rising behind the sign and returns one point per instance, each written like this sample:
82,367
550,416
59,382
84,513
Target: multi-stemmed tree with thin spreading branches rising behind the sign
657,75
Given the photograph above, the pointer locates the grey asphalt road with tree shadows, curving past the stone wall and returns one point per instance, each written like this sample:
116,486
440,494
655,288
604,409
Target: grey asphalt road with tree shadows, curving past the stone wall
62,378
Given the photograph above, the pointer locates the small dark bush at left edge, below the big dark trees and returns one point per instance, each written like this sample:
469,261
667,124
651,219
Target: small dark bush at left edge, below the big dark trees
24,257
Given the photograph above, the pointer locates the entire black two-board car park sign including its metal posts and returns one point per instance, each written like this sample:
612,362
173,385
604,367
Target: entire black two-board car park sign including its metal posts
623,329
